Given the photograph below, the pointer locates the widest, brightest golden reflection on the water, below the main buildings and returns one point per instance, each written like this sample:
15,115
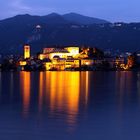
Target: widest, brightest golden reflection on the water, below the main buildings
64,94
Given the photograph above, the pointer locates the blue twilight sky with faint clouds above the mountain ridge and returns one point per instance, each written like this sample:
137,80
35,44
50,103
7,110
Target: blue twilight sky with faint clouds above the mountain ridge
112,10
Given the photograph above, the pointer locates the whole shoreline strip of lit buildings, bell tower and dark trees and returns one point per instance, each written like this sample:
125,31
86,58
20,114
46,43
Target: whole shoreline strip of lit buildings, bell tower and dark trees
69,58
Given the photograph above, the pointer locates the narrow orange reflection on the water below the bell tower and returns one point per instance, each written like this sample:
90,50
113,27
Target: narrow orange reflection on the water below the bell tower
25,80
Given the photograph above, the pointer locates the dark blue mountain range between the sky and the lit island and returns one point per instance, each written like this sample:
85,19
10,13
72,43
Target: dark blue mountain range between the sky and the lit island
69,29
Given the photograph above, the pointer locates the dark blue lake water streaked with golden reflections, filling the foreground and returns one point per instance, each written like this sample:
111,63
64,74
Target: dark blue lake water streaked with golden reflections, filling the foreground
70,106
